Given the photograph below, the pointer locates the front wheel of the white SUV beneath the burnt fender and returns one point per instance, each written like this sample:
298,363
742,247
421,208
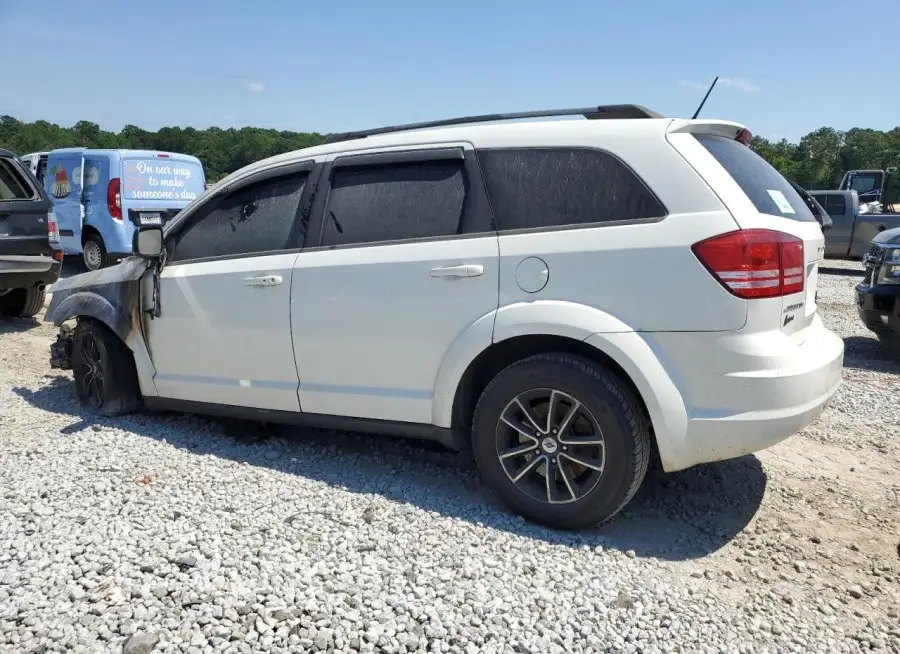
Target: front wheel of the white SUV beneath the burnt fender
96,349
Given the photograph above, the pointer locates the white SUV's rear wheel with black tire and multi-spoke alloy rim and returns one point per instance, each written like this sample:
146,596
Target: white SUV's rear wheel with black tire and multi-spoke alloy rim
584,496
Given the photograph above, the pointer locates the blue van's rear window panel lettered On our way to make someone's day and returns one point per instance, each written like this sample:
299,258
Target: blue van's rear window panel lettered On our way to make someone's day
161,179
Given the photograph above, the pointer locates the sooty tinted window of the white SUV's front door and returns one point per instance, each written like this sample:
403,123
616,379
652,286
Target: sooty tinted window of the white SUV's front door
254,219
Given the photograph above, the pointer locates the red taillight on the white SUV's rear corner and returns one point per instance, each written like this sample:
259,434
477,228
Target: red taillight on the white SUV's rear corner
754,263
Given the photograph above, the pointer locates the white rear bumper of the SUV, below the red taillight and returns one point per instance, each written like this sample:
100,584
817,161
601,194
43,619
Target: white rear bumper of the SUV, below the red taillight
744,393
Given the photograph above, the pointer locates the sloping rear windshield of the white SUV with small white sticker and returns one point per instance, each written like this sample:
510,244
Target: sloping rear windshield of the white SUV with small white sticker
767,189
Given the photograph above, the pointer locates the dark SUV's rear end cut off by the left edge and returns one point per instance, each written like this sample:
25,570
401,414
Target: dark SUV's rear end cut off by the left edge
27,262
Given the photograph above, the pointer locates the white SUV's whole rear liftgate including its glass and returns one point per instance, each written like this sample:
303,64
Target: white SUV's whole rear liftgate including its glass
759,197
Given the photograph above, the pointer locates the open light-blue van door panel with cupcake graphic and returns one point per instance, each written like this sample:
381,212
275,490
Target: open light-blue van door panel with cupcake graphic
63,183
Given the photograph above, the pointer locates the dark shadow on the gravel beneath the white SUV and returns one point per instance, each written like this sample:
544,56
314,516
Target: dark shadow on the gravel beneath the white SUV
680,516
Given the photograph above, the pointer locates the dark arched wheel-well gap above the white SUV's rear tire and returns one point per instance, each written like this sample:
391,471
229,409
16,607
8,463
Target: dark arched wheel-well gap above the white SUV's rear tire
500,355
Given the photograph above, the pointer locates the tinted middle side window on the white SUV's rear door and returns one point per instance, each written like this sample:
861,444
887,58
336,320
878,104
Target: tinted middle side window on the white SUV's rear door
389,202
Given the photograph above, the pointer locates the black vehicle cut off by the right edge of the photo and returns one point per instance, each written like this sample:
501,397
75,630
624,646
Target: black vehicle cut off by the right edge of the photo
878,294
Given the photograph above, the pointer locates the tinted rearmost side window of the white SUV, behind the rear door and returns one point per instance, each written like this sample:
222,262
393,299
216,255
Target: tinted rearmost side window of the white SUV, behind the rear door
556,187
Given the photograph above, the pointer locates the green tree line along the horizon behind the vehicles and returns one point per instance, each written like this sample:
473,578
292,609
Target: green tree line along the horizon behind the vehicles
817,161
